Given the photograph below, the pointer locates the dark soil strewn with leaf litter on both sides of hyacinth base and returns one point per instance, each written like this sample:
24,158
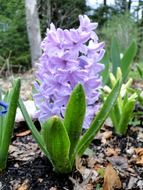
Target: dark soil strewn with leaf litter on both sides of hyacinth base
29,169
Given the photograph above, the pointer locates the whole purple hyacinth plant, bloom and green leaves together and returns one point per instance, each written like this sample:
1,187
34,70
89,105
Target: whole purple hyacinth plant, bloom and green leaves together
67,87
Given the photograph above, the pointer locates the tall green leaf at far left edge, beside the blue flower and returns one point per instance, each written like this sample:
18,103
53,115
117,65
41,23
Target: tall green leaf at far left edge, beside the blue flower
8,121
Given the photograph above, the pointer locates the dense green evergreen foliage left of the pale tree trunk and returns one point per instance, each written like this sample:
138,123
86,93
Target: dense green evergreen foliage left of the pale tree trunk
13,36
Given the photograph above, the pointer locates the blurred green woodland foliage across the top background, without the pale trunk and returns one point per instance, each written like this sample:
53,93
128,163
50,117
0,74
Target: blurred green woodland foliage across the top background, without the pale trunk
117,21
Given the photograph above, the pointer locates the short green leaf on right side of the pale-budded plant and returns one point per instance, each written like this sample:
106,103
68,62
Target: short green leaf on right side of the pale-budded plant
122,126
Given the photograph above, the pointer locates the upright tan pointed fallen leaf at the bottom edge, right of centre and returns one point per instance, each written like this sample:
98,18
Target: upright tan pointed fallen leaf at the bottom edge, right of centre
111,179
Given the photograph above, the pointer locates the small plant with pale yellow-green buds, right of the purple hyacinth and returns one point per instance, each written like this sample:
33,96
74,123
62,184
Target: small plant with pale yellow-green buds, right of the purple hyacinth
122,111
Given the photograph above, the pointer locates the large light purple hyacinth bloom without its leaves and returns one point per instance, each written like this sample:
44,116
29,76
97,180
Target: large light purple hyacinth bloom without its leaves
69,57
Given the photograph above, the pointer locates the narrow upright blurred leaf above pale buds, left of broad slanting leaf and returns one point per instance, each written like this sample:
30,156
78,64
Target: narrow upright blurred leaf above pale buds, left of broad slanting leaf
115,55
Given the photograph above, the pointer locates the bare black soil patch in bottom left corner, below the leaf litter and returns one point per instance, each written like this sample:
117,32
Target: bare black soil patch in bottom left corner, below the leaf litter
36,175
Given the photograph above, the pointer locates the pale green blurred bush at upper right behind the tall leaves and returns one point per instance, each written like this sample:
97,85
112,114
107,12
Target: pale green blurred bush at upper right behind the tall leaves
123,28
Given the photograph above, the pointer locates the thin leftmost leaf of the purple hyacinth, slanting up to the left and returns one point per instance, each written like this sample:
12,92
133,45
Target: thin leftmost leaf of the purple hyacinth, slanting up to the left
32,127
